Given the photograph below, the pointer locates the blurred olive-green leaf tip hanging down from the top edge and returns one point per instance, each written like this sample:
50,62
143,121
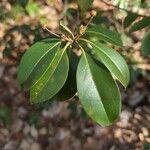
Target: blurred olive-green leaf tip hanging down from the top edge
84,5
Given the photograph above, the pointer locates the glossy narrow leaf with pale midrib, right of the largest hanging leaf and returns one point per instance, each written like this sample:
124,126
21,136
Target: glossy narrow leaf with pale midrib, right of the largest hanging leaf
113,61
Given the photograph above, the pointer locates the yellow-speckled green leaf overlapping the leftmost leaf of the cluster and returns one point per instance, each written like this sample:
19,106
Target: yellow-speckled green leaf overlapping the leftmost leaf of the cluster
53,78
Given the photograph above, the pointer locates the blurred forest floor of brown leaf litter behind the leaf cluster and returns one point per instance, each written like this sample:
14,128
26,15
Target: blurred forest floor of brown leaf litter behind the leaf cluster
63,125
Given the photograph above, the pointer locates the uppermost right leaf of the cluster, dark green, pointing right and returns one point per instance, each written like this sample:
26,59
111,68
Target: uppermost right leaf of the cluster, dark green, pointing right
105,35
